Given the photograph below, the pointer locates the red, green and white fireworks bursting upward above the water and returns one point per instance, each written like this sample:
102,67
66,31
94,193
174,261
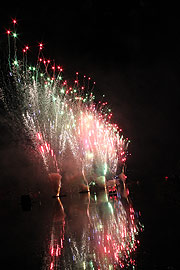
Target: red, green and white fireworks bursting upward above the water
59,117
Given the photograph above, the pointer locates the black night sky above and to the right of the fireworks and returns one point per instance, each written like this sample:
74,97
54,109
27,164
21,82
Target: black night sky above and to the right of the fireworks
131,49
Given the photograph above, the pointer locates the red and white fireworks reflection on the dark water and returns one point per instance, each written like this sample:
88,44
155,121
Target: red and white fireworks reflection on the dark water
92,232
